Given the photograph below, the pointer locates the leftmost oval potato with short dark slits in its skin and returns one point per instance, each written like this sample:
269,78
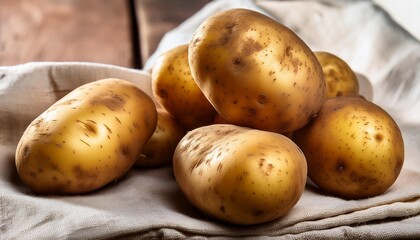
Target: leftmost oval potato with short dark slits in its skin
87,139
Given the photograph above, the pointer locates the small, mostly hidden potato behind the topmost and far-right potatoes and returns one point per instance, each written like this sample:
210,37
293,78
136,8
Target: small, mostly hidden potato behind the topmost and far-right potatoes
339,77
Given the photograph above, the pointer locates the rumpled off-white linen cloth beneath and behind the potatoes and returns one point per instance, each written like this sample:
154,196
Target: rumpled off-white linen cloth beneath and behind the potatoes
147,203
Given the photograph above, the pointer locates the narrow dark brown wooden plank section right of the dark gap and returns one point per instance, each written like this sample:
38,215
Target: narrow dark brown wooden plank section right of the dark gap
156,17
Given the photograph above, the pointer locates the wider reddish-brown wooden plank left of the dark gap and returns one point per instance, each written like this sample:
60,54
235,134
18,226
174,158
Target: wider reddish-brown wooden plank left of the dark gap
65,30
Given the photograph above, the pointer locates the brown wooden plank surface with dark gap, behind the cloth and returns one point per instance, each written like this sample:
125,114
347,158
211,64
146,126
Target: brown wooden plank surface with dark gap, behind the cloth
120,32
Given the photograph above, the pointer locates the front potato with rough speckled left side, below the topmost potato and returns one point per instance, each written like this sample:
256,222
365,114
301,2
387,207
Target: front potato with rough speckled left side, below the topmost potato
240,175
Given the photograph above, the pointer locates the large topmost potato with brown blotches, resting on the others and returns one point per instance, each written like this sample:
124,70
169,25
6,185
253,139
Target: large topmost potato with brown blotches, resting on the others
256,72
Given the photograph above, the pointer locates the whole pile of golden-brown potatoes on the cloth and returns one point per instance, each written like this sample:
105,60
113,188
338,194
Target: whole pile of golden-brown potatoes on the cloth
247,111
